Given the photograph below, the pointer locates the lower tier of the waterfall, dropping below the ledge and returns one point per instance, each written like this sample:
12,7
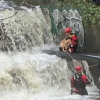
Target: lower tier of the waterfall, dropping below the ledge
33,72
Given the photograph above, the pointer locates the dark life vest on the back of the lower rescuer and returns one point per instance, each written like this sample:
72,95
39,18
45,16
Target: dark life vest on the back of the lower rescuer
78,83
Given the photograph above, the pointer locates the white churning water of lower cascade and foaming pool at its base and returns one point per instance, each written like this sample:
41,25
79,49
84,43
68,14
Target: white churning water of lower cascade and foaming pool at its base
36,76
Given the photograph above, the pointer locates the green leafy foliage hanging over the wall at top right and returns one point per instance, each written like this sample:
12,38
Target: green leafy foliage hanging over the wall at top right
90,13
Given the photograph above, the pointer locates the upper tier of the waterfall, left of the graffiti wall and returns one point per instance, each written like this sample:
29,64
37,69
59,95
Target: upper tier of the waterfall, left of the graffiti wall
23,31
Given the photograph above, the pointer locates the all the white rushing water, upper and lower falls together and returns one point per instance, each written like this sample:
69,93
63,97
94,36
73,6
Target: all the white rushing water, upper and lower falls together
31,74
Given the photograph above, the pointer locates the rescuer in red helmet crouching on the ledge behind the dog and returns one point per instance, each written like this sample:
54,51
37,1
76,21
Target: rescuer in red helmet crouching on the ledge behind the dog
73,39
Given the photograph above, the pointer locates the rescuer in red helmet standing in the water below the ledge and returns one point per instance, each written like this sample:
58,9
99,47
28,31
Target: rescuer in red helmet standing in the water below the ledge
79,81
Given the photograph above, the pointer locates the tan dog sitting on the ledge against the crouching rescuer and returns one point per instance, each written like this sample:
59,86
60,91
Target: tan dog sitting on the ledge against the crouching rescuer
65,45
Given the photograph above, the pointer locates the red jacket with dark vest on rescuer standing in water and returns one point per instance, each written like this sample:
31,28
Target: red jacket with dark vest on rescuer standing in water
82,81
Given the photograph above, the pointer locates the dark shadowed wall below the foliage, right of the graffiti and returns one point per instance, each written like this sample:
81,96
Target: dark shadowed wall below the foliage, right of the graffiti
92,39
